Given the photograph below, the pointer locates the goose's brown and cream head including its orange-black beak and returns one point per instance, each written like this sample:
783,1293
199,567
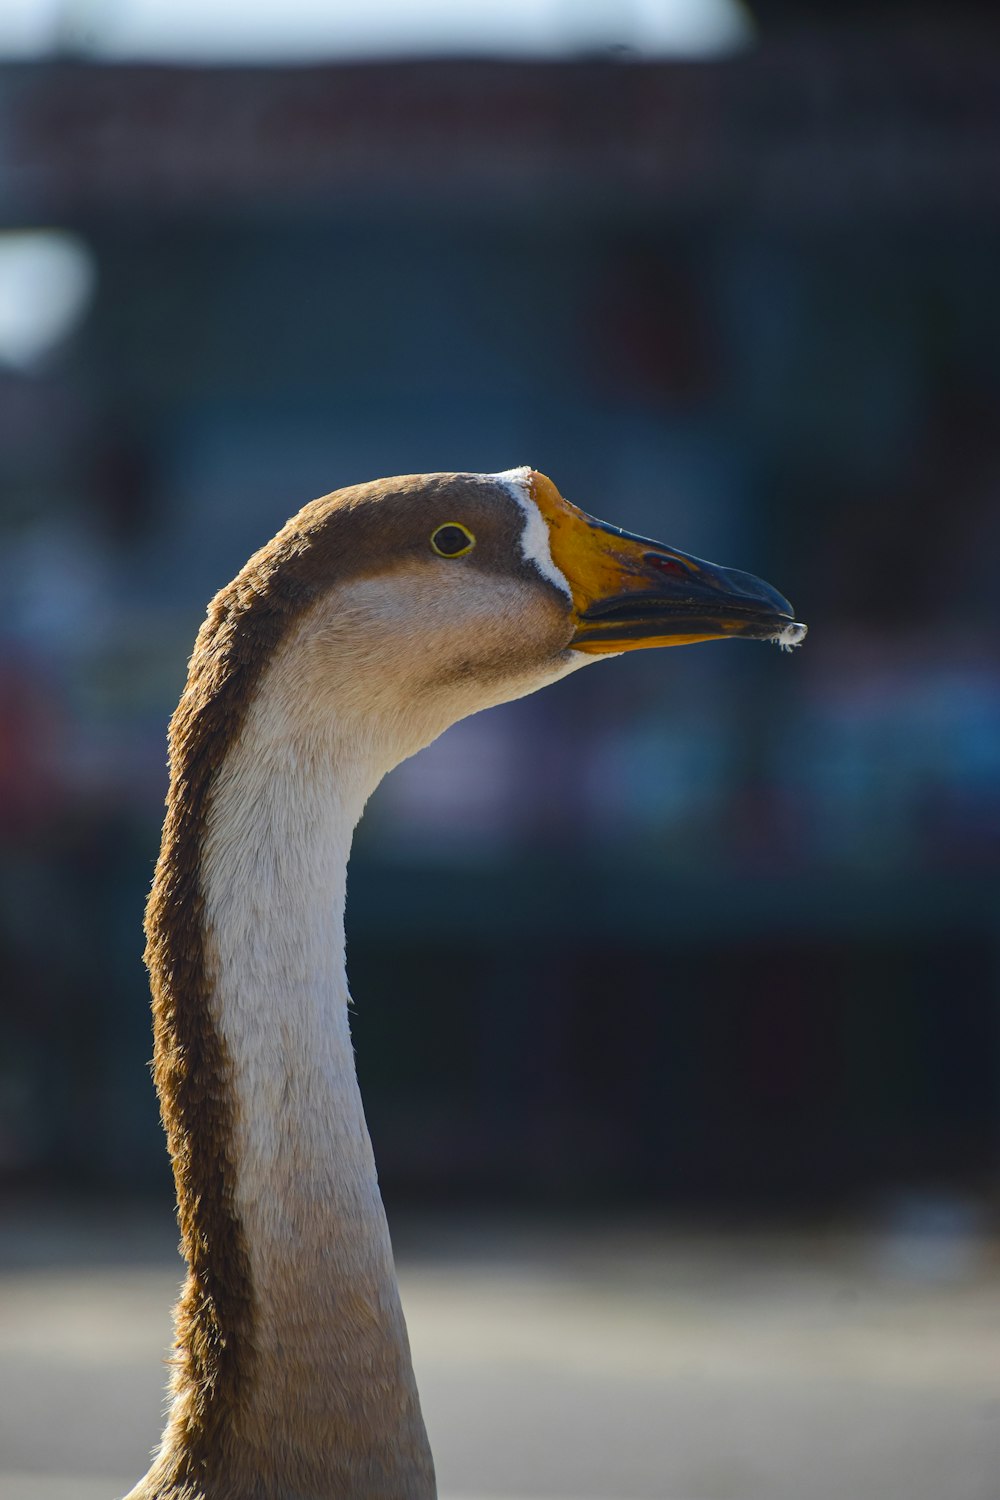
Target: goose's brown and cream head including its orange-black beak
424,599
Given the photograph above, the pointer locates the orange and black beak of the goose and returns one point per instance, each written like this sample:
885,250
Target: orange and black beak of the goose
629,592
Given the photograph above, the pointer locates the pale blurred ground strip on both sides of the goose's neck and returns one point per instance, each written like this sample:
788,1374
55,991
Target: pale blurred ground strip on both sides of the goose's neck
603,1363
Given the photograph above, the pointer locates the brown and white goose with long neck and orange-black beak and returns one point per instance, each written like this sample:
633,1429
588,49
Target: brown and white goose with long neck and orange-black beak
377,617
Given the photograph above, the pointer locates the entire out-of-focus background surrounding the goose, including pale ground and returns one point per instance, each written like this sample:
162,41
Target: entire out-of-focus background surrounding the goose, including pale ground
678,985
